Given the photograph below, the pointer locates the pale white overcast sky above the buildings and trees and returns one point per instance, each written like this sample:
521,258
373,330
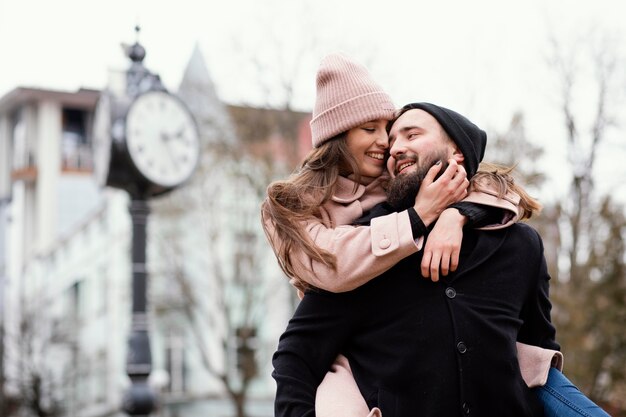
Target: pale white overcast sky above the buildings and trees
484,58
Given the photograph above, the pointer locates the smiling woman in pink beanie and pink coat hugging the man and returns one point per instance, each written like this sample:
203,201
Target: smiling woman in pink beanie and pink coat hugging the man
307,217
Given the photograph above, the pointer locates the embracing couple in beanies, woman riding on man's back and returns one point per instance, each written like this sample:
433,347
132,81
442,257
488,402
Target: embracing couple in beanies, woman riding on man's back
409,346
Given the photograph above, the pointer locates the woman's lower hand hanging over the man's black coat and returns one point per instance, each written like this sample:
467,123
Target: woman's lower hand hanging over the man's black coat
443,245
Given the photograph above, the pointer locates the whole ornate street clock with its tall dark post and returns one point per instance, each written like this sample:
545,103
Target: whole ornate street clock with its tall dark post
145,142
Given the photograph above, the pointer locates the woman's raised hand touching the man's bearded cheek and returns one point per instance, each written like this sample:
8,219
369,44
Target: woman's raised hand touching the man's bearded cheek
435,196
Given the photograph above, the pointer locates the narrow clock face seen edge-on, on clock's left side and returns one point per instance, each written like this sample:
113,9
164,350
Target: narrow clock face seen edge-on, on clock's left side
102,138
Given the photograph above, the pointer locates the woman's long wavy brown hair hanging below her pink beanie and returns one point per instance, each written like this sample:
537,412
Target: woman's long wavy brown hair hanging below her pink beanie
292,202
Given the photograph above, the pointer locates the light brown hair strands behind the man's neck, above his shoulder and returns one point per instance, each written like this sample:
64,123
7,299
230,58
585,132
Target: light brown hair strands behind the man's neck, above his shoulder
501,178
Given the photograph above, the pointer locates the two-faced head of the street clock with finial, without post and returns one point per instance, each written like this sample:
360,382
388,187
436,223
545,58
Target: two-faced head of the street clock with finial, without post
146,141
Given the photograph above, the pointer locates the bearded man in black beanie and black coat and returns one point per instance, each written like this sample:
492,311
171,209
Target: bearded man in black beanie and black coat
418,348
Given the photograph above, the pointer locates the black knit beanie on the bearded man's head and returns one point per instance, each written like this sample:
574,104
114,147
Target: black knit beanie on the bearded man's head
470,139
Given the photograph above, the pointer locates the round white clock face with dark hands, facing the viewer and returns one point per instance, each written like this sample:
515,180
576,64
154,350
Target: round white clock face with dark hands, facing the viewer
162,138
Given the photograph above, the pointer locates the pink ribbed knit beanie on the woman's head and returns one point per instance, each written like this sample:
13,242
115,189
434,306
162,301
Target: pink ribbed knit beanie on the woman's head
346,98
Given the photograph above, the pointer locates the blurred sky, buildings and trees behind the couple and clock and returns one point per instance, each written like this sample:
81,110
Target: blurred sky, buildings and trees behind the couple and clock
546,79
